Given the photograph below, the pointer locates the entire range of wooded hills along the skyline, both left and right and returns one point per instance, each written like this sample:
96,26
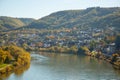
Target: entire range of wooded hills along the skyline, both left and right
90,17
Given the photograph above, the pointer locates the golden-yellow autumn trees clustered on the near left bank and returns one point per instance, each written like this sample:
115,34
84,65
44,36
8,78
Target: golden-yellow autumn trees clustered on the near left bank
14,53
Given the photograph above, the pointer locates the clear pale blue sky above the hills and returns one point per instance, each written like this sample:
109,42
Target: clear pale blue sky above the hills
40,8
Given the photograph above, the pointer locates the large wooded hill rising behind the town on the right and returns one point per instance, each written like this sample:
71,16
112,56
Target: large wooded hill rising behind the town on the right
90,17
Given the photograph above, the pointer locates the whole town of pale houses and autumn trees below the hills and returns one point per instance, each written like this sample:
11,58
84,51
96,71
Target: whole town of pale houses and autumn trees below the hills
97,39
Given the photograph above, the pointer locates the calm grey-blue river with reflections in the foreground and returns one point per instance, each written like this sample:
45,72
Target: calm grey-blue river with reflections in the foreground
51,66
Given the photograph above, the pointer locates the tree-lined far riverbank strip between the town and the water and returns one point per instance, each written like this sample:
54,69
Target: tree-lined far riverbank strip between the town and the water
112,59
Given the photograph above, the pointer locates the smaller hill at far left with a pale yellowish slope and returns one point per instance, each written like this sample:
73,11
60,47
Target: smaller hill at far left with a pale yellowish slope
8,23
